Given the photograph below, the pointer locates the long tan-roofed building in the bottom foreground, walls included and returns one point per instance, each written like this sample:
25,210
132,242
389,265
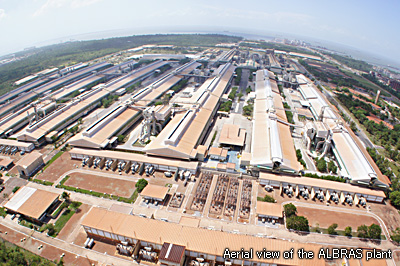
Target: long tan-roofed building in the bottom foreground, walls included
200,245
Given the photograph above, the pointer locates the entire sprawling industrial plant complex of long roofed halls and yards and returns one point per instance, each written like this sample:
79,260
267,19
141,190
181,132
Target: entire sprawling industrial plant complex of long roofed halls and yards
144,154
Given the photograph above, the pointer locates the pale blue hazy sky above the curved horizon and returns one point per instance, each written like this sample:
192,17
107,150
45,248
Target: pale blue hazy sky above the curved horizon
371,26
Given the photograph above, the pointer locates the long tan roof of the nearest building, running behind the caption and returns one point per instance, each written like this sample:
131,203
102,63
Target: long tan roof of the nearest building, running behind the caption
194,239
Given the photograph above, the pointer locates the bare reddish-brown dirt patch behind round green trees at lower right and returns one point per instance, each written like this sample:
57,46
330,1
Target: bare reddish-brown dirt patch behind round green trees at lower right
325,218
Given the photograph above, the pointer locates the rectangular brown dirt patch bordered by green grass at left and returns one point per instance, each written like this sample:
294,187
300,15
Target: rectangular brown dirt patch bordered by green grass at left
114,186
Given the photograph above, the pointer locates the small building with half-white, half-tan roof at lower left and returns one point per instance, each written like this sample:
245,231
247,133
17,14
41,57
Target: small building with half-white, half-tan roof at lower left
34,204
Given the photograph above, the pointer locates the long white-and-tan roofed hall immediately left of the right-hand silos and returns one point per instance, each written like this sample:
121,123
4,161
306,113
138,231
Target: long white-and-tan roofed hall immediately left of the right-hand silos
272,144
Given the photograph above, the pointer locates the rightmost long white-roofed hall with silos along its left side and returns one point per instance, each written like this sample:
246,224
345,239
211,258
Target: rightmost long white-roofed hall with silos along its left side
328,132
